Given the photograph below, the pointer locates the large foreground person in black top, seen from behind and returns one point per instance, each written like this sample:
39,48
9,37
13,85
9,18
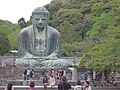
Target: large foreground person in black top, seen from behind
64,85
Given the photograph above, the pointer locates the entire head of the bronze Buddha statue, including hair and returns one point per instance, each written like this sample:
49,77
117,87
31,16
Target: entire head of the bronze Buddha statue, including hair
40,17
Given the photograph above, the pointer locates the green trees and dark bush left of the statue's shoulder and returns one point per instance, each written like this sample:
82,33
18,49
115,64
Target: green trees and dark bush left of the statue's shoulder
9,38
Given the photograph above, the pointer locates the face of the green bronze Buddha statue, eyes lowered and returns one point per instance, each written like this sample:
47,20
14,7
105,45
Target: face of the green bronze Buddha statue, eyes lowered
40,20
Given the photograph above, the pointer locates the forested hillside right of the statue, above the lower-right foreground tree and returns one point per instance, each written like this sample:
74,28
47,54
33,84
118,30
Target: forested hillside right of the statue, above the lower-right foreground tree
83,23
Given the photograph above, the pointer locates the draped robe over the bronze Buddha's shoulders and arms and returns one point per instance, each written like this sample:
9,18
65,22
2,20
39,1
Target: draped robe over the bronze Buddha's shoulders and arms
27,43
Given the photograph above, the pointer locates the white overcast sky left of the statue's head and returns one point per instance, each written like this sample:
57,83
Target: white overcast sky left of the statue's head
13,10
